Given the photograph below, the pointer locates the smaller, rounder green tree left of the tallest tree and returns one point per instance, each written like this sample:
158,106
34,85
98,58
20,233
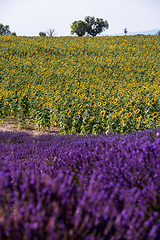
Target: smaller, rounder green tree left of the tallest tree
79,28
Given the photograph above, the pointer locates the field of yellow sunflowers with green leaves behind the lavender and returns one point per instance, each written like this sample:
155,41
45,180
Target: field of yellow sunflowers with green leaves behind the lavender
82,84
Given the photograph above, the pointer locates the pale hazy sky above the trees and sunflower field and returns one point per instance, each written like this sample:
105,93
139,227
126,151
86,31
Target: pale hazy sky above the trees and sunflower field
29,17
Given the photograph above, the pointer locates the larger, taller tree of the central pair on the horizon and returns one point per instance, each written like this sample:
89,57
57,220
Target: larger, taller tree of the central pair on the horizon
95,26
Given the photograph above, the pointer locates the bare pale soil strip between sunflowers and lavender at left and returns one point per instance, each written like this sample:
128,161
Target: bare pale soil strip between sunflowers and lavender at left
11,124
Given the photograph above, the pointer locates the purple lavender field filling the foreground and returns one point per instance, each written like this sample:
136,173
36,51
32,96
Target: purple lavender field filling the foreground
69,187
